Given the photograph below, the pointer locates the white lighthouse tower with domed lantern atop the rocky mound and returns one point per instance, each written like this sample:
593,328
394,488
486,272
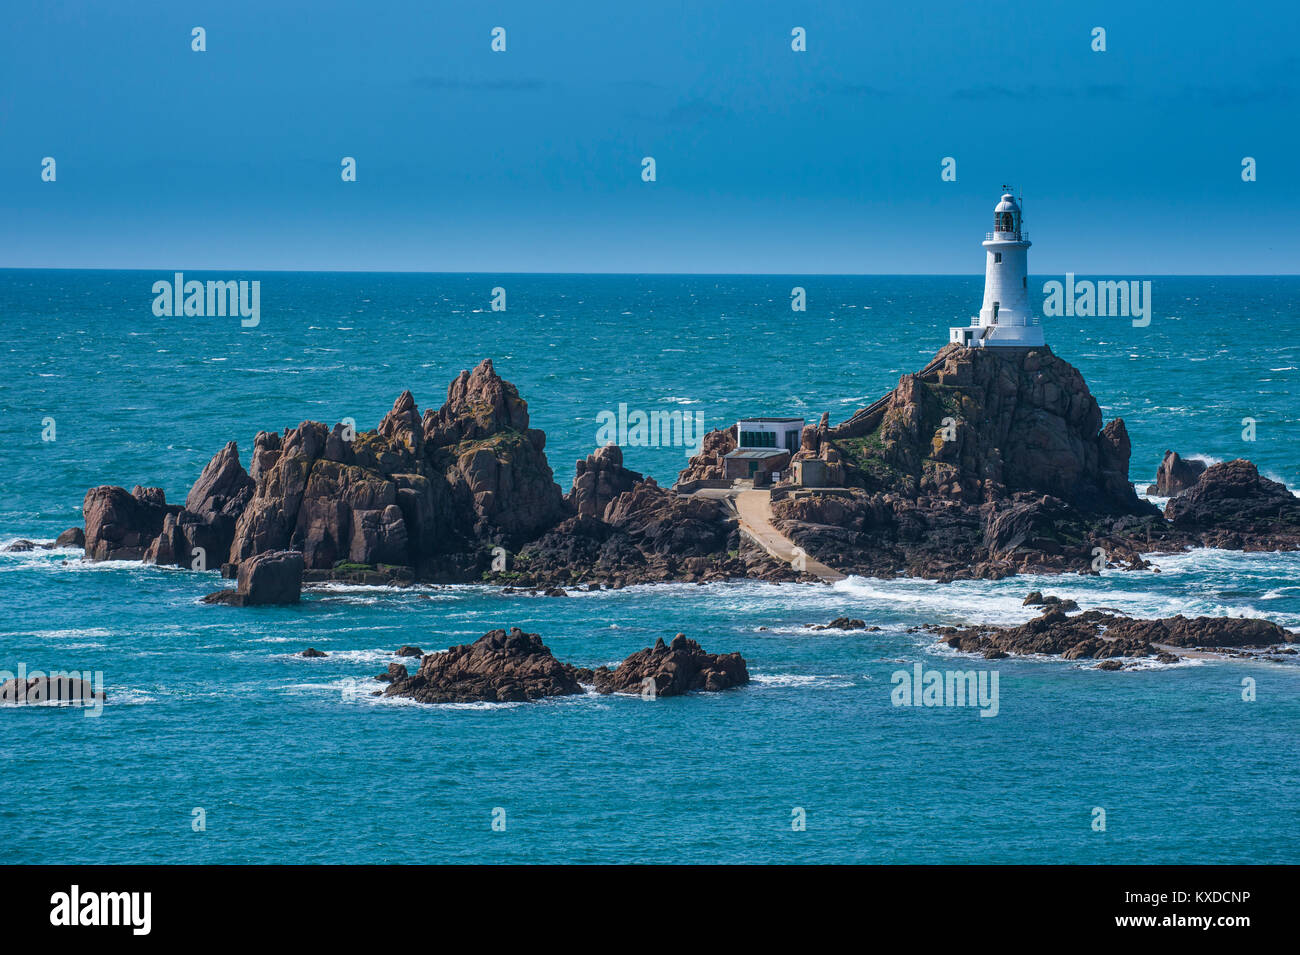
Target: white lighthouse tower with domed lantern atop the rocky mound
1006,319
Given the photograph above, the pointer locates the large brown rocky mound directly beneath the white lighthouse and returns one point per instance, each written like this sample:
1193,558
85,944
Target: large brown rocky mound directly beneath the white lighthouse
991,463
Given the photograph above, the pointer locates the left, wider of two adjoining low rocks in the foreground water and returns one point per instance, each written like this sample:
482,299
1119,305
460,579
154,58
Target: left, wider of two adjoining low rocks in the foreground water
499,667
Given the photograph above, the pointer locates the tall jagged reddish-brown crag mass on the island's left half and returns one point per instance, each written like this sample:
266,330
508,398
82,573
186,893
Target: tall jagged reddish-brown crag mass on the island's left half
435,493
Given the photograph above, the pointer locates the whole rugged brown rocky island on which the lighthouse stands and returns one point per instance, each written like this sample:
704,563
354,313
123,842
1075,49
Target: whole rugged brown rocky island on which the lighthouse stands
986,463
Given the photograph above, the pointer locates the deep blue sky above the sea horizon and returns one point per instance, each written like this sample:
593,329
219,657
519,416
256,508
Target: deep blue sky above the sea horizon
769,160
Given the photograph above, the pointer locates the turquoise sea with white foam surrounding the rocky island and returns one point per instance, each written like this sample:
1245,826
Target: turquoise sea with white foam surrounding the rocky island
293,761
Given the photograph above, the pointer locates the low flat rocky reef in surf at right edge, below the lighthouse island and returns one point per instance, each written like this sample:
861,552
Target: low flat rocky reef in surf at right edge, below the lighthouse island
1097,635
